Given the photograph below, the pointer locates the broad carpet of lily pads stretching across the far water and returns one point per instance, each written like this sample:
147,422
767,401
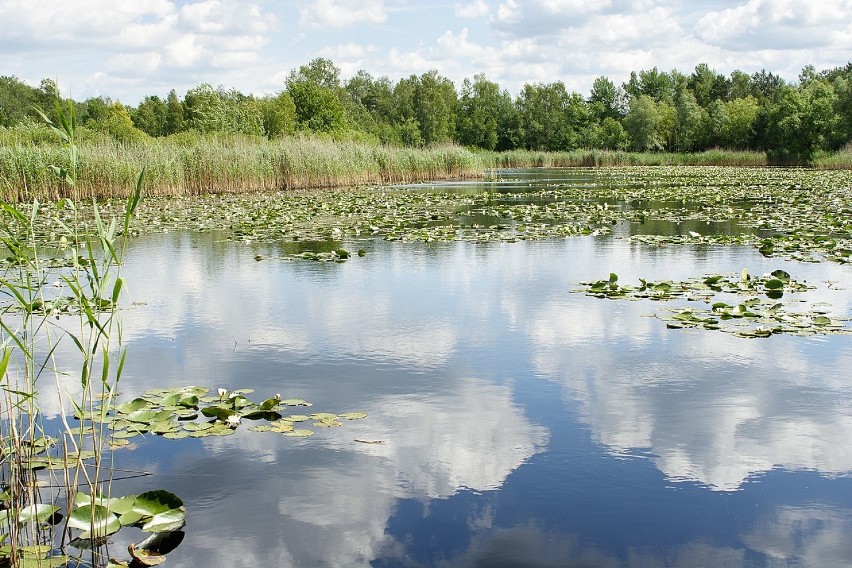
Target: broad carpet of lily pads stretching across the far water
792,213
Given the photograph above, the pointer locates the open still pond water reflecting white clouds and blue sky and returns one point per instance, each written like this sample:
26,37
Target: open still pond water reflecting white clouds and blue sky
521,423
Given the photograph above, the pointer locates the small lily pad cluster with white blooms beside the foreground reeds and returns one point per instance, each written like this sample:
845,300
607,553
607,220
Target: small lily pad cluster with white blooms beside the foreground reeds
196,412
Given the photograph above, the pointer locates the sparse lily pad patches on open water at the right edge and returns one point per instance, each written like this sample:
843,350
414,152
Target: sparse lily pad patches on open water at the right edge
755,312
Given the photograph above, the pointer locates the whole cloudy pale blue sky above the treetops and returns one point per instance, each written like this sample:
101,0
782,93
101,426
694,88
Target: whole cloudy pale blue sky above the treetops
127,49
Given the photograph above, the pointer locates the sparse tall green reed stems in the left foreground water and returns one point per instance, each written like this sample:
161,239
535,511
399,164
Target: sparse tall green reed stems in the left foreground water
82,308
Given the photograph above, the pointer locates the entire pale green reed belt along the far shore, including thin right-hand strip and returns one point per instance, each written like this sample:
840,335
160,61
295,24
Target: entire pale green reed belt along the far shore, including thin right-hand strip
191,164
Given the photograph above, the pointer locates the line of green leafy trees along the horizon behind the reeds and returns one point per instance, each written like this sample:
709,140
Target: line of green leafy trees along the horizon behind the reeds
652,111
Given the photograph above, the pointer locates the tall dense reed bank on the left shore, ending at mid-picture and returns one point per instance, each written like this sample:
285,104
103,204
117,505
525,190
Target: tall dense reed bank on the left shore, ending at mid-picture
193,165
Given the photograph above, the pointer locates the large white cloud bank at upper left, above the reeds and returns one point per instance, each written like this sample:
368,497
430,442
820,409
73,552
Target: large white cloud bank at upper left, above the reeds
118,44
